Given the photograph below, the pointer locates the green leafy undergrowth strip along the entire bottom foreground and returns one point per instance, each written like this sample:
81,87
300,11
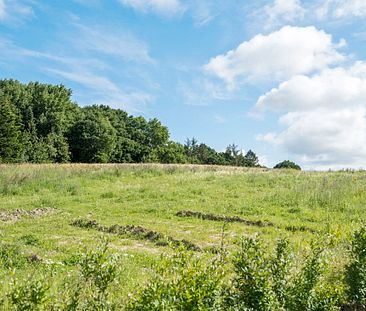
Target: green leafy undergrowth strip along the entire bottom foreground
251,279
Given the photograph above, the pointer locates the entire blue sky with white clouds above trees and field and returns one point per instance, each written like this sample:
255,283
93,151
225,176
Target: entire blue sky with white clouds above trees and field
285,78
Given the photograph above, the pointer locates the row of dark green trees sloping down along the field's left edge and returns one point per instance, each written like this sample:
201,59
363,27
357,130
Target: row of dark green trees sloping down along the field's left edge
40,123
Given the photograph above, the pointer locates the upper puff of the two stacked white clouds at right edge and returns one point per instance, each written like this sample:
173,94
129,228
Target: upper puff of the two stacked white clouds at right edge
332,88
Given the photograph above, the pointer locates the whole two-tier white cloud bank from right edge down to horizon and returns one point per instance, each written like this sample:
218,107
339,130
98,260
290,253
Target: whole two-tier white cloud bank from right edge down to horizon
324,117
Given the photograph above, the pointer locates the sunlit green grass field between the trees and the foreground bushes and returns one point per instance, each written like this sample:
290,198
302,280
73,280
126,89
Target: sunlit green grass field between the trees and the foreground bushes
39,202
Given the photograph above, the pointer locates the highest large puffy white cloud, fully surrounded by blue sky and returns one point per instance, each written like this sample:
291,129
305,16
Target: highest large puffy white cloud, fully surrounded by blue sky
279,55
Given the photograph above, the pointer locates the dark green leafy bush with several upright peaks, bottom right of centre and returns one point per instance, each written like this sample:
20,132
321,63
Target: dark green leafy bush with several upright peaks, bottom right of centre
265,282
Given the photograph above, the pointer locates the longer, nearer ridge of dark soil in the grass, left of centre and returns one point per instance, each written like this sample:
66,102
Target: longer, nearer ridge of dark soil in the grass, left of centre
138,232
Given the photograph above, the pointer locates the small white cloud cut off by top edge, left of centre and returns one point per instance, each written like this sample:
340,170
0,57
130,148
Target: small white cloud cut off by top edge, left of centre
162,7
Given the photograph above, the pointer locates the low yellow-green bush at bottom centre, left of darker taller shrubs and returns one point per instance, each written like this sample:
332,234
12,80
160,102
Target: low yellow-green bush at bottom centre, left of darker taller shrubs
182,282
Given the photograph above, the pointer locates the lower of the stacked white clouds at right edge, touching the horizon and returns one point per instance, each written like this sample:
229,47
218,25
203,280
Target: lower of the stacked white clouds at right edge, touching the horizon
324,137
